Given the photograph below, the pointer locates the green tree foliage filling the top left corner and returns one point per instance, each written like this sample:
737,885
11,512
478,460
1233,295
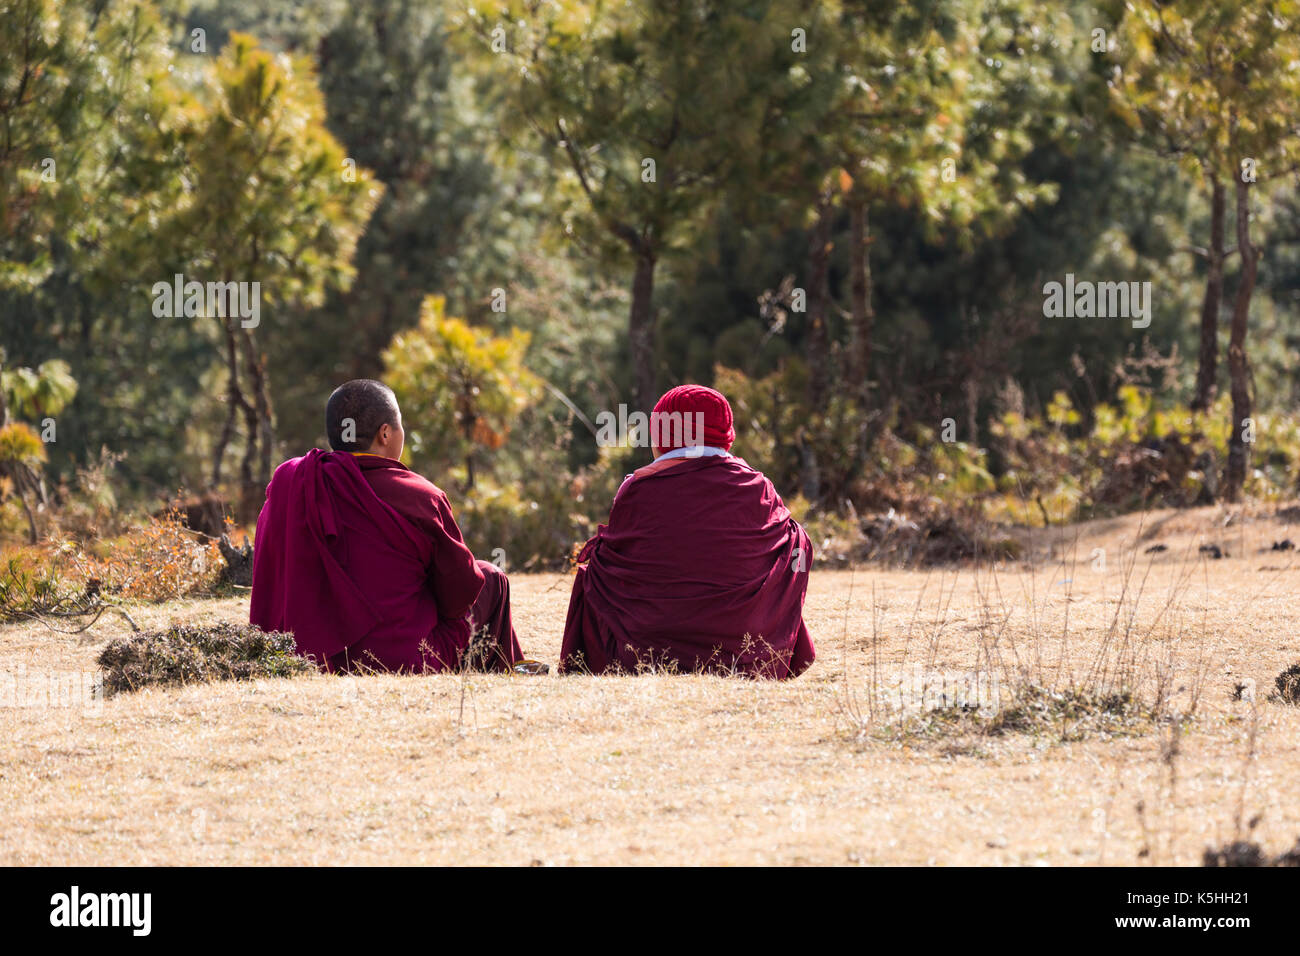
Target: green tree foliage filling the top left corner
76,85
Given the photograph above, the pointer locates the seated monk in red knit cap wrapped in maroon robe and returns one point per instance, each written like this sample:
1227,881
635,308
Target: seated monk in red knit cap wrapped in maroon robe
701,566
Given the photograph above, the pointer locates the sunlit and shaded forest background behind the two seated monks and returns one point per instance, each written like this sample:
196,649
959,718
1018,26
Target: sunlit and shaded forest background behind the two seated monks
523,215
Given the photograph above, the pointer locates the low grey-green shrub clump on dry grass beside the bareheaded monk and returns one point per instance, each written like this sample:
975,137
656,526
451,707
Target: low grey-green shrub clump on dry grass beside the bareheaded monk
200,654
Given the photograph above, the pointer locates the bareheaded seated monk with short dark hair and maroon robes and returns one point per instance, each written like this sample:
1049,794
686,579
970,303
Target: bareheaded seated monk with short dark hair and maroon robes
361,559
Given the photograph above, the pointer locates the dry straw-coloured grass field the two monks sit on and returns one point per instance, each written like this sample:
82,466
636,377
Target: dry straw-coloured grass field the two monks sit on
662,769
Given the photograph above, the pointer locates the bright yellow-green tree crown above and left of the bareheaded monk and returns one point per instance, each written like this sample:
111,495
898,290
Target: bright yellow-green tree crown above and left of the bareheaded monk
267,198
